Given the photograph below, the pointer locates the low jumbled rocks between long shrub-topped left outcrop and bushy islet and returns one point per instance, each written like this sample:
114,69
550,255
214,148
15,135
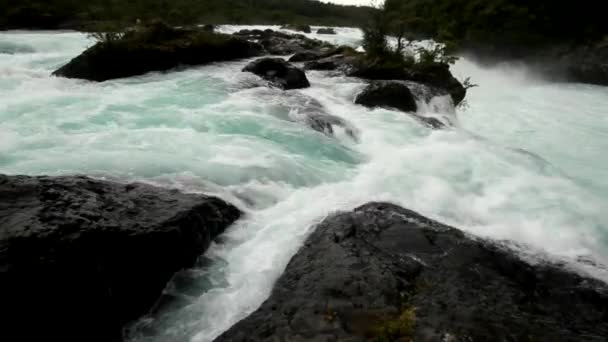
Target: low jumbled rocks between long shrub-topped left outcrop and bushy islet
279,43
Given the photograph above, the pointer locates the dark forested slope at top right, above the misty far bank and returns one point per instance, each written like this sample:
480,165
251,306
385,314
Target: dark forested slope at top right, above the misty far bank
507,22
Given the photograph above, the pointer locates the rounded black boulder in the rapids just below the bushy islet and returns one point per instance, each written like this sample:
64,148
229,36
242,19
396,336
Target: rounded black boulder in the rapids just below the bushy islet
388,94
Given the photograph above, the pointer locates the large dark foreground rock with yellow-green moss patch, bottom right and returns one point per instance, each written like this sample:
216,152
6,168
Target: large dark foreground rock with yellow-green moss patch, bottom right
384,273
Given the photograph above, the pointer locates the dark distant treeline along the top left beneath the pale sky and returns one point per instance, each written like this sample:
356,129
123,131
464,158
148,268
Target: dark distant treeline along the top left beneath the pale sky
178,12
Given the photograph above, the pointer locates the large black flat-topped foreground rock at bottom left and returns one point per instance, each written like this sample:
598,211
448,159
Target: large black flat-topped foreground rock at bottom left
80,258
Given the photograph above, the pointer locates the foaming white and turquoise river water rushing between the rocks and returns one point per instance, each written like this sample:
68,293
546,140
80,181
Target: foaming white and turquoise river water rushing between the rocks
523,162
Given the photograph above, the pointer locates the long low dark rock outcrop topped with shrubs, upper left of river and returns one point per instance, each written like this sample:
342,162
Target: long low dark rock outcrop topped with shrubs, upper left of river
156,47
